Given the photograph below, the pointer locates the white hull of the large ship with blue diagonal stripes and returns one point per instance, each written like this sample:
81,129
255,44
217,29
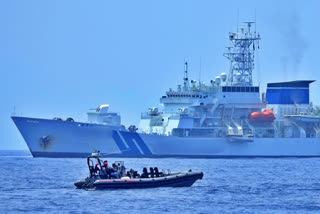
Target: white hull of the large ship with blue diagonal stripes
54,138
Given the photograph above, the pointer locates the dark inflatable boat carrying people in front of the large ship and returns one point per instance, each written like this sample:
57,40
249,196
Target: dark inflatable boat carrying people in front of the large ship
116,177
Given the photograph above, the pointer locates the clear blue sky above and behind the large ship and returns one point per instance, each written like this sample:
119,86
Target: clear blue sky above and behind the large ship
61,58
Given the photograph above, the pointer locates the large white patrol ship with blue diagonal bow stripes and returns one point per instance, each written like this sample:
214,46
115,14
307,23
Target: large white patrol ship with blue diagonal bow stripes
227,118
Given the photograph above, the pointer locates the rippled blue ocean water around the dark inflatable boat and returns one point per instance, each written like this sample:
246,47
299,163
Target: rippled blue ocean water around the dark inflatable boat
258,185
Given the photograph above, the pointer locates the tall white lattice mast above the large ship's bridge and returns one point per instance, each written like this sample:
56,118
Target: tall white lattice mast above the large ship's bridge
241,55
